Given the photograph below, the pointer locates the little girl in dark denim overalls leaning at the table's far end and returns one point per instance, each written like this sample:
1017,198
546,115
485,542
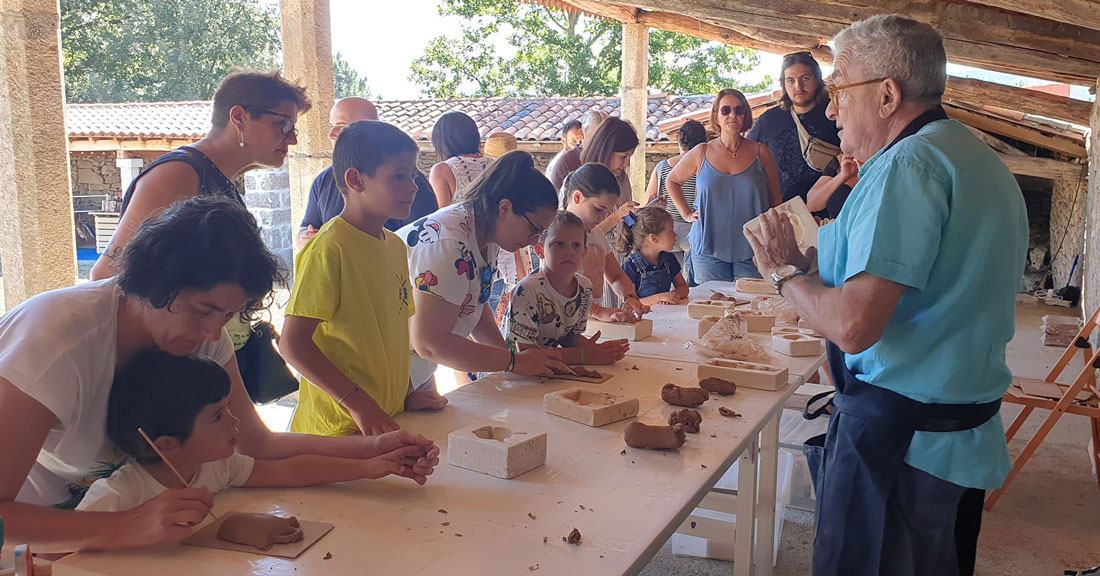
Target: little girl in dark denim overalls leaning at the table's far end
648,239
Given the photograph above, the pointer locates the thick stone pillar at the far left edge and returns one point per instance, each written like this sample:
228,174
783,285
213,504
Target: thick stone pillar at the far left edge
37,235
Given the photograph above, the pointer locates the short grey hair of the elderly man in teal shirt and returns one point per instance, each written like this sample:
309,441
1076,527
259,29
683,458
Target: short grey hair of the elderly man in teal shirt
895,47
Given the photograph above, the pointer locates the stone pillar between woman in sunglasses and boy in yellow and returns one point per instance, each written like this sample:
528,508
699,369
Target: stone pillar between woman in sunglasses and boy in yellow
307,59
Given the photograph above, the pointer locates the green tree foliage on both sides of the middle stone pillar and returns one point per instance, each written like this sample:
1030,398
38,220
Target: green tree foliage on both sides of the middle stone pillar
560,54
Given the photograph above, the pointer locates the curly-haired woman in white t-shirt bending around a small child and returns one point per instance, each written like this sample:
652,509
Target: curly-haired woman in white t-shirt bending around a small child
182,278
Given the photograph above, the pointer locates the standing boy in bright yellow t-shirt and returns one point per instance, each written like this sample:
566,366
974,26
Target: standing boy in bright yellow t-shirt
347,324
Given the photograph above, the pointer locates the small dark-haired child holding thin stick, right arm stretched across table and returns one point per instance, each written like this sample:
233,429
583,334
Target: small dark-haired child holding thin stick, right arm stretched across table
183,404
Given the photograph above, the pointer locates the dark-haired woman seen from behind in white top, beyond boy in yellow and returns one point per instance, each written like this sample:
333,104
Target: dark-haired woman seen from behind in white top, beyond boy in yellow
458,152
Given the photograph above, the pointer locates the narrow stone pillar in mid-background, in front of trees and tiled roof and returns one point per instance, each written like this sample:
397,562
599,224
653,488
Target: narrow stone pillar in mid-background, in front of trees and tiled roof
635,97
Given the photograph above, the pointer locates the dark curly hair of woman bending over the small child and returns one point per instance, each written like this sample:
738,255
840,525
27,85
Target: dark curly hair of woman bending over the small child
197,245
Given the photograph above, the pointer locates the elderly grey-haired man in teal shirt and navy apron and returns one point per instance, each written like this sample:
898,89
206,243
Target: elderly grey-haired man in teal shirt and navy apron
917,297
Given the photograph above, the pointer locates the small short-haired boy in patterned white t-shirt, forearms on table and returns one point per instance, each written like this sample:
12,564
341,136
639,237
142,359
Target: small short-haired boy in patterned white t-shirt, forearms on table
551,307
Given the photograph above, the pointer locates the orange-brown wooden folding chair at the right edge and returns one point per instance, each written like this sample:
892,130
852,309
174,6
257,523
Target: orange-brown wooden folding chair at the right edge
1085,381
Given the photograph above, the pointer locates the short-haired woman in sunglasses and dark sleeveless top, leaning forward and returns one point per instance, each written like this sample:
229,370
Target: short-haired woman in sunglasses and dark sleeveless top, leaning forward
252,127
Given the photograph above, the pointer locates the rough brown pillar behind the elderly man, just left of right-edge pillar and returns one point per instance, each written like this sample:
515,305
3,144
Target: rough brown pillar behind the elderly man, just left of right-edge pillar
1068,221
